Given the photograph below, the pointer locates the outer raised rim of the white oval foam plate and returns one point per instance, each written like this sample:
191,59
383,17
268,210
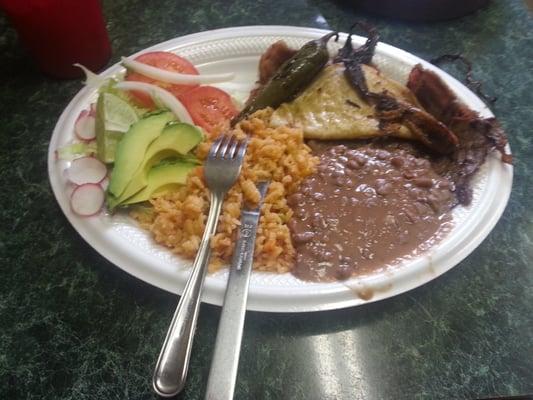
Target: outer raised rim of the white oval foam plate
331,297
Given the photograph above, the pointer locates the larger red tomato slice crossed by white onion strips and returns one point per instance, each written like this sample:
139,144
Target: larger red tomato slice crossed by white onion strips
163,60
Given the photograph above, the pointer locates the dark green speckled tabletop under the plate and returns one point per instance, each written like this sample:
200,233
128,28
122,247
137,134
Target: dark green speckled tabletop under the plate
73,326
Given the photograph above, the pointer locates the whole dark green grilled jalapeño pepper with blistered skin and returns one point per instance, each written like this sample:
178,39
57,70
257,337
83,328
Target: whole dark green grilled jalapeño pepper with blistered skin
292,77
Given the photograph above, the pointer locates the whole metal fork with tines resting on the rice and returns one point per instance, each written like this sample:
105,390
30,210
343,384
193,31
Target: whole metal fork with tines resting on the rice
221,170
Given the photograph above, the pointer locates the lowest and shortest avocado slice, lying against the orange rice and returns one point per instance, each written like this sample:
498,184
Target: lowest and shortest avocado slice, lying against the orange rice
161,179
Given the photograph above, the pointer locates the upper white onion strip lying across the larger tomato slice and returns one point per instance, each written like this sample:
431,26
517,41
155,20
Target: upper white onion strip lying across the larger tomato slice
174,77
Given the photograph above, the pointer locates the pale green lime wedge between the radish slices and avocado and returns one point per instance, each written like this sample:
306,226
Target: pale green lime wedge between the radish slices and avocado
114,116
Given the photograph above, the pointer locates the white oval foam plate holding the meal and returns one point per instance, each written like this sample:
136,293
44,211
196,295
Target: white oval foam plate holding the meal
238,50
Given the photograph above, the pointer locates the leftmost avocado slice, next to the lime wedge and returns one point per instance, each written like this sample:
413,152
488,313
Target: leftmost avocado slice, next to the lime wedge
131,150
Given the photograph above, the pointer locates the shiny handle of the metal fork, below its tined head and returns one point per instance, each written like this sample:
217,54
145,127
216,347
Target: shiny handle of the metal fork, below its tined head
171,368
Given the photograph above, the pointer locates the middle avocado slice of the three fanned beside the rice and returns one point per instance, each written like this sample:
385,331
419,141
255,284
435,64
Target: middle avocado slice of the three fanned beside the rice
177,139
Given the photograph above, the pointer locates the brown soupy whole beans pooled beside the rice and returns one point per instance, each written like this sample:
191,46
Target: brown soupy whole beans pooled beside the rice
365,209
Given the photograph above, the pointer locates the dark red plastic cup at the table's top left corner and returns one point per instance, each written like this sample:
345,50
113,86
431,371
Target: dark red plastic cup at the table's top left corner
59,33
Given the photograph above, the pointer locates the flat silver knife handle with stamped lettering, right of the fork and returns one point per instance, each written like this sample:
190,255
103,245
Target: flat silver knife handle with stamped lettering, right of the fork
223,372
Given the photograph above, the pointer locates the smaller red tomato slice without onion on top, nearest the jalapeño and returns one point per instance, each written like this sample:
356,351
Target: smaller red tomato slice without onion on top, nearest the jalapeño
208,106
